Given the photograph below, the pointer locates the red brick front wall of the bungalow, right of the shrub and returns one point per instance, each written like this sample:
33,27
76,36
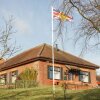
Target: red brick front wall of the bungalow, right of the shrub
43,75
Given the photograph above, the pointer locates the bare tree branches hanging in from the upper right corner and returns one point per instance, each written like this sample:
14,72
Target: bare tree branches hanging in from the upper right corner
89,27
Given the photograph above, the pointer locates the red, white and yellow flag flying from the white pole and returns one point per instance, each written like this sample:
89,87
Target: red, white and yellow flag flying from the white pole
61,15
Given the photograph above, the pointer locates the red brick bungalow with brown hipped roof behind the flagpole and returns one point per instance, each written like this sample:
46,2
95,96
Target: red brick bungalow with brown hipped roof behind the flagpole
68,68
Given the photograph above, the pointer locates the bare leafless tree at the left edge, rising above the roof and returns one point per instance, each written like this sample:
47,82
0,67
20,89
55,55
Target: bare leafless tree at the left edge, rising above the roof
7,48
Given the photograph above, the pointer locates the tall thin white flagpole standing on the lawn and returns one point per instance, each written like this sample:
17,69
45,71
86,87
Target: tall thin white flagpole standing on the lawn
53,51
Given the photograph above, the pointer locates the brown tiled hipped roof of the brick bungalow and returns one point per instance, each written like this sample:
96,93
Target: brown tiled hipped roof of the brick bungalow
44,52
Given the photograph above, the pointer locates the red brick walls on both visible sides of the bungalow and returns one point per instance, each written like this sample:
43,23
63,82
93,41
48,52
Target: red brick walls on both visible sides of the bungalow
42,69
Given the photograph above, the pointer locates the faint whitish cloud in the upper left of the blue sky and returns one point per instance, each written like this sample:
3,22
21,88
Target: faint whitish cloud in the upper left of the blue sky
20,24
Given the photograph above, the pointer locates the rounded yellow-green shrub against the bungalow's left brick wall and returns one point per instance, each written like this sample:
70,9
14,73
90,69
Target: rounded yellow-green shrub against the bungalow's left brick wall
28,78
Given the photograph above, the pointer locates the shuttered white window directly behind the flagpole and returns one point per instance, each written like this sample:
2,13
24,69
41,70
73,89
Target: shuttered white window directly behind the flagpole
57,72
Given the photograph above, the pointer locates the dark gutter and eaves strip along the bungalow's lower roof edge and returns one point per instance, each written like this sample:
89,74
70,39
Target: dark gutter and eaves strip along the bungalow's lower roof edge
50,60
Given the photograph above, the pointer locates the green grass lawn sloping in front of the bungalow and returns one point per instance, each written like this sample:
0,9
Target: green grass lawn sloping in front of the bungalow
45,93
